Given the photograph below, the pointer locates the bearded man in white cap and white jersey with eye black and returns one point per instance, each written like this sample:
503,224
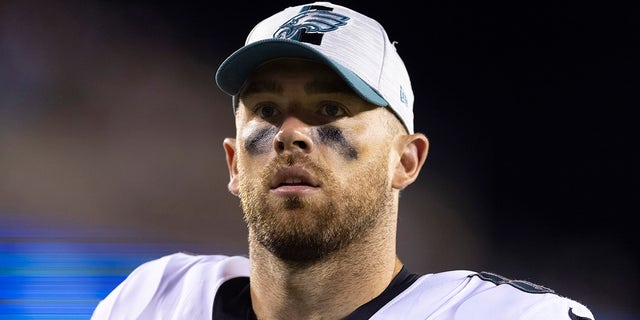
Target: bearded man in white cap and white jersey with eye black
324,145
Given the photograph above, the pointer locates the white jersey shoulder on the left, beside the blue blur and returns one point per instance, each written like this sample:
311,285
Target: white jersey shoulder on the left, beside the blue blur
171,285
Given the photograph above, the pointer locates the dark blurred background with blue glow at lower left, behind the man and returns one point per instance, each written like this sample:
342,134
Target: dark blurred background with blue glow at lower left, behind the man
111,133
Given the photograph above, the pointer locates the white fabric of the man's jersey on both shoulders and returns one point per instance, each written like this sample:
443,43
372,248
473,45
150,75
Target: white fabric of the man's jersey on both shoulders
182,286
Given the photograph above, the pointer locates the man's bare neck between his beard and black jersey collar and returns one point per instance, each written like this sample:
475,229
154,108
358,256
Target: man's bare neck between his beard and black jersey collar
328,289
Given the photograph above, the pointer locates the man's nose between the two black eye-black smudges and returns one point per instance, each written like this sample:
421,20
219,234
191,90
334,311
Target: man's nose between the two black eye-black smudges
293,136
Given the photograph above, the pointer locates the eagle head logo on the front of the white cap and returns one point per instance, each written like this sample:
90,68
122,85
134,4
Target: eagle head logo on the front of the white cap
310,21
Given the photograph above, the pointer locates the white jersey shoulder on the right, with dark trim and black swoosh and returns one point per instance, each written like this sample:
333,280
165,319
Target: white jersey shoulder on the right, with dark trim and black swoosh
467,295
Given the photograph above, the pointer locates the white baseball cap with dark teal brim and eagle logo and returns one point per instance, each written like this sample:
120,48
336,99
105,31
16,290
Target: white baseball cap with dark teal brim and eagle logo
354,45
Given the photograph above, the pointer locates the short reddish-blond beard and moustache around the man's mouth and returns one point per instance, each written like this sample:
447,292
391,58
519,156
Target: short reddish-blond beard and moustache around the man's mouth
301,231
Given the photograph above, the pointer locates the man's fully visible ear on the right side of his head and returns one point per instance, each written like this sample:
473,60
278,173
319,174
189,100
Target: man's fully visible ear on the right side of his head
413,153
